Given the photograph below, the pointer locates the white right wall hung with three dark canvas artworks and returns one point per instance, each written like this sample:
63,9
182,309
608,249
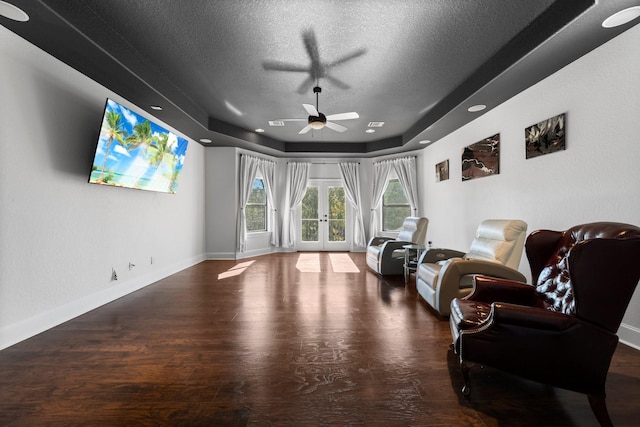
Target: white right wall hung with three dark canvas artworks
597,178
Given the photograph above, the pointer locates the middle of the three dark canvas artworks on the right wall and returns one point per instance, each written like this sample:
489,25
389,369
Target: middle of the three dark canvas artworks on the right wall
482,158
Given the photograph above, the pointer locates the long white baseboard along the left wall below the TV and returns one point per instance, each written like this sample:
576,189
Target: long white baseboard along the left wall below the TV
13,334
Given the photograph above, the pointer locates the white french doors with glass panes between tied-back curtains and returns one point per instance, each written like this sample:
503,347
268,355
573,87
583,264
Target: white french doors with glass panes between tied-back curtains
322,219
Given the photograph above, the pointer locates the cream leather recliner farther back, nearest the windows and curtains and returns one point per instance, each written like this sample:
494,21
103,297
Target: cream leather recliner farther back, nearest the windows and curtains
385,255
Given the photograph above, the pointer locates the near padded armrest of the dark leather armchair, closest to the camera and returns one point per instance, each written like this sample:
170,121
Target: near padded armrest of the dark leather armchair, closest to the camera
530,317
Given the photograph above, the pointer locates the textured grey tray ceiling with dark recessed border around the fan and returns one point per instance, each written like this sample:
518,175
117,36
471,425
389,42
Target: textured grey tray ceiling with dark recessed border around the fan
220,69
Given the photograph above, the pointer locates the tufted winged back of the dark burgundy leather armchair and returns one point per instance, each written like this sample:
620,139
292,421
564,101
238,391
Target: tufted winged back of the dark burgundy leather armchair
575,291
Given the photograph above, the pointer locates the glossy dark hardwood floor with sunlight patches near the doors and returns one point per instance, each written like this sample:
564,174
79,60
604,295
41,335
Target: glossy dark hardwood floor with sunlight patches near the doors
277,341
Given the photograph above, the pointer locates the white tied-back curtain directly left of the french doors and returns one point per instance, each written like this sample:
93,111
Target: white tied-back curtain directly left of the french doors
297,179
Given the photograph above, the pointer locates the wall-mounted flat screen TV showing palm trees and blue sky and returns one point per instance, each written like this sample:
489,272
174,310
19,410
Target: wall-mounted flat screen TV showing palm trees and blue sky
134,152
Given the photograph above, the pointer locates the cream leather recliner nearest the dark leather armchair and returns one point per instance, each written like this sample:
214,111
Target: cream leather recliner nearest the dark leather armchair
445,274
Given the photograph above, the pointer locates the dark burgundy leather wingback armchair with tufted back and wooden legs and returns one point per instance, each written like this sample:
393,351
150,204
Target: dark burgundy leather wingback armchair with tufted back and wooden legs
562,330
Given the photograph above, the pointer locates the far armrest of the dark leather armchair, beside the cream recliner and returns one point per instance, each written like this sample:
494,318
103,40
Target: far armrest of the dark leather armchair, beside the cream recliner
490,289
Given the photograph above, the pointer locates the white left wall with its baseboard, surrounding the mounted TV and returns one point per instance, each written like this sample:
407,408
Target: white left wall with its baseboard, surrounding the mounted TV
60,236
